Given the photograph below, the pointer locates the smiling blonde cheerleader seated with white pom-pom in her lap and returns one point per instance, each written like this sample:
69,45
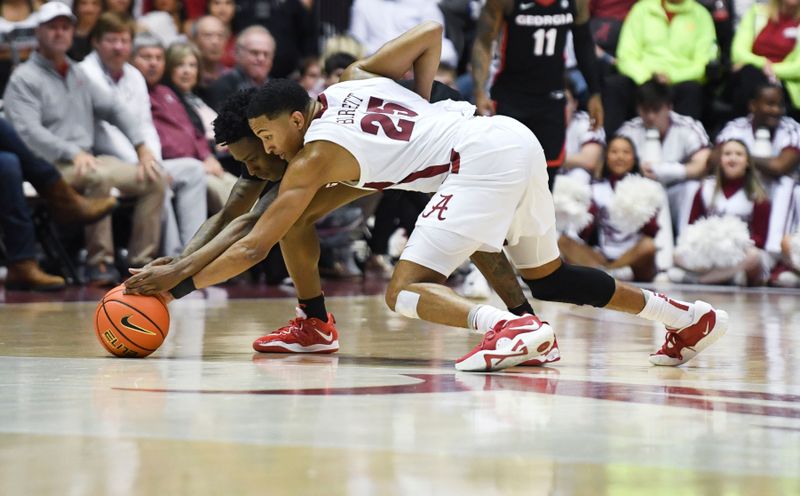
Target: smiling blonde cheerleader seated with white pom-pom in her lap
733,193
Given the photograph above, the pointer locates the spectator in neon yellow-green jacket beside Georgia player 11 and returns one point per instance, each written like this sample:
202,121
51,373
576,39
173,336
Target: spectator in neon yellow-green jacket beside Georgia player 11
672,41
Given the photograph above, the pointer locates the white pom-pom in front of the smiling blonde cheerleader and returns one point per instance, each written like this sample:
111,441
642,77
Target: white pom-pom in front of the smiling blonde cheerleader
713,242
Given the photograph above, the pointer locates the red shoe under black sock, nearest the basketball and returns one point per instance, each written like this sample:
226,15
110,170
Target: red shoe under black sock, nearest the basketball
302,335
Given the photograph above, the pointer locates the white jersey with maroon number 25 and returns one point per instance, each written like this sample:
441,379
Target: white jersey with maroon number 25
399,139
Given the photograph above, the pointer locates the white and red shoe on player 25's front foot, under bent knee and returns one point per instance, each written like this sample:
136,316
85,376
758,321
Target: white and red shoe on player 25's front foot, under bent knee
509,343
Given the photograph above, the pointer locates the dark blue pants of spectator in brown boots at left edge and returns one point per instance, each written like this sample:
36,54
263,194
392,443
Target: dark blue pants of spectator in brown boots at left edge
18,164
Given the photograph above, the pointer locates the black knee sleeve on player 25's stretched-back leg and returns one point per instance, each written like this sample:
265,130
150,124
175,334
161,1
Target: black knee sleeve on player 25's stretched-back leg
574,284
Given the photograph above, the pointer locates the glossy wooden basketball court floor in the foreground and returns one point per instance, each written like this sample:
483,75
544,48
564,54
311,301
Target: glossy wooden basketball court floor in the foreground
389,414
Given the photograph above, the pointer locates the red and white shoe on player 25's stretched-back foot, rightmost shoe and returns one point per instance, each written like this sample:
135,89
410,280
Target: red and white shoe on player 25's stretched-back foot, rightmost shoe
685,343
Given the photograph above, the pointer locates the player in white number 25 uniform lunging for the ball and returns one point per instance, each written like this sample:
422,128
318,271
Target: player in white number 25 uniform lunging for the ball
490,179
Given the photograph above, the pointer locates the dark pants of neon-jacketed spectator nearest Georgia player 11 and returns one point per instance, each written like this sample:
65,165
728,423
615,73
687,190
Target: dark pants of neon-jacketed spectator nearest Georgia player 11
619,101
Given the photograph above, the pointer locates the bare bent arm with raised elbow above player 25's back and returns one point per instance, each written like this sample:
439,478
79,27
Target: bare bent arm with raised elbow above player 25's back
419,48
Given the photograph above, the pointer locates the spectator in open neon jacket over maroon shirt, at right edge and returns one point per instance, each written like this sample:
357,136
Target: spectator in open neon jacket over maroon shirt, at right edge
765,50
